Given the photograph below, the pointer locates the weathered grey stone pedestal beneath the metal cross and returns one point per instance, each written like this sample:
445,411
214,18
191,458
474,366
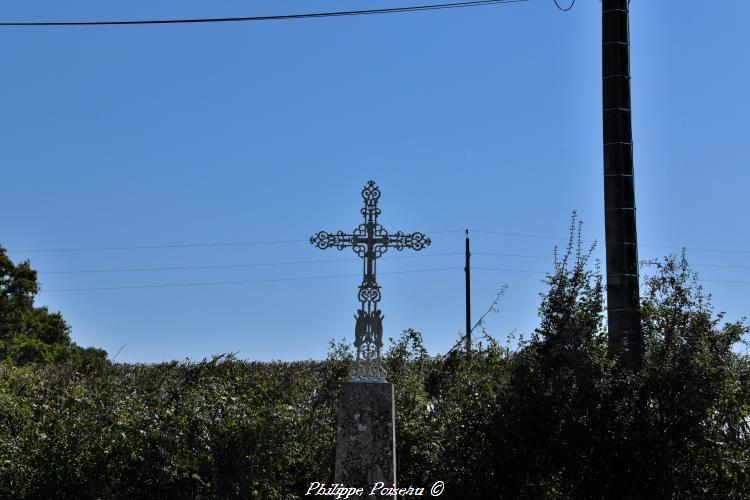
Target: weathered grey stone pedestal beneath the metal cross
366,435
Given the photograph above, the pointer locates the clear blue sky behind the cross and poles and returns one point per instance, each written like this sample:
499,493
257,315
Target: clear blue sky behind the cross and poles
486,118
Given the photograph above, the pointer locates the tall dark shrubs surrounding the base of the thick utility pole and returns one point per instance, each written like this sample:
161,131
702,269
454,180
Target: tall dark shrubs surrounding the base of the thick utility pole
573,422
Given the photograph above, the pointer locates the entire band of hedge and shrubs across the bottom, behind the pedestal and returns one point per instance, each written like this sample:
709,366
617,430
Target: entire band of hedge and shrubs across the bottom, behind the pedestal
548,417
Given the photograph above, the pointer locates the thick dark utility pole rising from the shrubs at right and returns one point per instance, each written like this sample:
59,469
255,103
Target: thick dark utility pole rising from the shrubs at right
623,298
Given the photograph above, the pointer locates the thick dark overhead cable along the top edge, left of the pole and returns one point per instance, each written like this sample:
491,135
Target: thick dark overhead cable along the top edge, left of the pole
285,17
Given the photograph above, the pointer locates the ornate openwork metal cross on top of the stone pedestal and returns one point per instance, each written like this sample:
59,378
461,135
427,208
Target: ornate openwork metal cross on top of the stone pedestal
369,241
